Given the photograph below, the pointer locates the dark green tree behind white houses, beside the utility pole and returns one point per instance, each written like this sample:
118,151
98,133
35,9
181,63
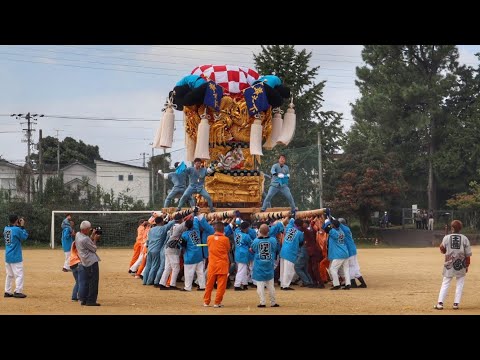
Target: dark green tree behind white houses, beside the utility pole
71,150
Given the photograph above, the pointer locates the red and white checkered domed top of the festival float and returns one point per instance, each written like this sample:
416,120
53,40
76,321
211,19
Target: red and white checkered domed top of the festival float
232,78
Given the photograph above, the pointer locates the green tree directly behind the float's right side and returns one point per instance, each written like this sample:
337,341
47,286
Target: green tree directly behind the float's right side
293,68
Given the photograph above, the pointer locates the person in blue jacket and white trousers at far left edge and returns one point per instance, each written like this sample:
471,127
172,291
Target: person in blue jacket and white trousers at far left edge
14,234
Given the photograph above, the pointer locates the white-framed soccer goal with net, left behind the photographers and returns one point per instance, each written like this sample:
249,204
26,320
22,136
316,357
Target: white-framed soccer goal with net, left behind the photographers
119,227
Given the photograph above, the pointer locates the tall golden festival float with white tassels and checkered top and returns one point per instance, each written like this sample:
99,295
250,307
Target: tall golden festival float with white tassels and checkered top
231,115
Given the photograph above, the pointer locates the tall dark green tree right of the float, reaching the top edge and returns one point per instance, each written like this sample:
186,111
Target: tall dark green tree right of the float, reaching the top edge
404,89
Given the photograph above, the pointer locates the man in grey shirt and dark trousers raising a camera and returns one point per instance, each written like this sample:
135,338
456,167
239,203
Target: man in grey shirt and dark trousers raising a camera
86,243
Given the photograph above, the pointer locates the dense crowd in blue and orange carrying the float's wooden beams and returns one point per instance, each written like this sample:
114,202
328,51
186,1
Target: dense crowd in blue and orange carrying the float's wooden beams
235,252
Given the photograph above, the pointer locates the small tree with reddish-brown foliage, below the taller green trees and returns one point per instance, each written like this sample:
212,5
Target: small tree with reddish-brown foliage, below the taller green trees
366,178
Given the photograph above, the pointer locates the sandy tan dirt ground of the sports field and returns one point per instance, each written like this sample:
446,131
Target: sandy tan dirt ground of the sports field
400,281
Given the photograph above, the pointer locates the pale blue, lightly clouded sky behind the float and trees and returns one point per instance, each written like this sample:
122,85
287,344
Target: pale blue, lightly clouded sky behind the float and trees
131,82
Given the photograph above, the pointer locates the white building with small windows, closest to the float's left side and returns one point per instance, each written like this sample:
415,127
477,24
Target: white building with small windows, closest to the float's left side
130,180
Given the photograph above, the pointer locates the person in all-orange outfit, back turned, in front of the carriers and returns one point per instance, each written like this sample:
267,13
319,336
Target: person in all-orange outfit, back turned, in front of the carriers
218,264
